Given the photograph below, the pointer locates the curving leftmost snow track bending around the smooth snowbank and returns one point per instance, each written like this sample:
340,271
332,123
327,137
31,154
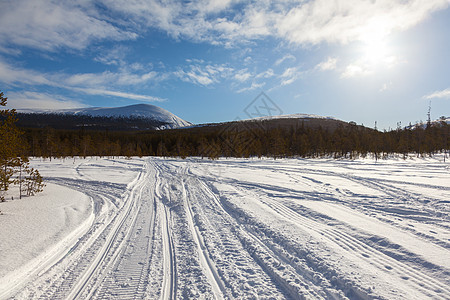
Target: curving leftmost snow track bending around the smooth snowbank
60,278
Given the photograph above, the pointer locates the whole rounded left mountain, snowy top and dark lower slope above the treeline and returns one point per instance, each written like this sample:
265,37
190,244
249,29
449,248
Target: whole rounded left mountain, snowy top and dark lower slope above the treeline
132,117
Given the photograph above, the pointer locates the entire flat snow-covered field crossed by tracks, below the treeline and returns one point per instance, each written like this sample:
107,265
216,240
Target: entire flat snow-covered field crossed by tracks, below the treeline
233,228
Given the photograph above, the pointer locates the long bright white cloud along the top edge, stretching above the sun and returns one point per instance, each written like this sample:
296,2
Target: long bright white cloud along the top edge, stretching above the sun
299,22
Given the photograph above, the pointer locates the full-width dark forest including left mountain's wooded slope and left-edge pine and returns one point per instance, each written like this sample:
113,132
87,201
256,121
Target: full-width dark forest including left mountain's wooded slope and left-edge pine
60,136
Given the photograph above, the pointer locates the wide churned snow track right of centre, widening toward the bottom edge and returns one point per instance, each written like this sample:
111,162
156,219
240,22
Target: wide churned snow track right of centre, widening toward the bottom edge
229,245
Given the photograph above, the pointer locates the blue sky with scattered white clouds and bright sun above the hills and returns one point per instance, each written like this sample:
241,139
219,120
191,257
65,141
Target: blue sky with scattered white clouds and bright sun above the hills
205,61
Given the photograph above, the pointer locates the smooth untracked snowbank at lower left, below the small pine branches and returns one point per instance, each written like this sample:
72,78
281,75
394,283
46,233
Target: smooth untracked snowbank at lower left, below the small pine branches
34,227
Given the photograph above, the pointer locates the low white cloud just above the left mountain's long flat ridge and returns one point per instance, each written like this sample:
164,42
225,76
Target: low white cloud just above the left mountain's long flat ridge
34,100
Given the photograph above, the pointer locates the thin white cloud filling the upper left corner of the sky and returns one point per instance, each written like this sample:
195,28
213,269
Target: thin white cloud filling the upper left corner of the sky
50,25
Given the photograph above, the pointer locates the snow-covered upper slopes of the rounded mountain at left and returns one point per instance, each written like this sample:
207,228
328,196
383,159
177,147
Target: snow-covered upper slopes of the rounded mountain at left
145,111
